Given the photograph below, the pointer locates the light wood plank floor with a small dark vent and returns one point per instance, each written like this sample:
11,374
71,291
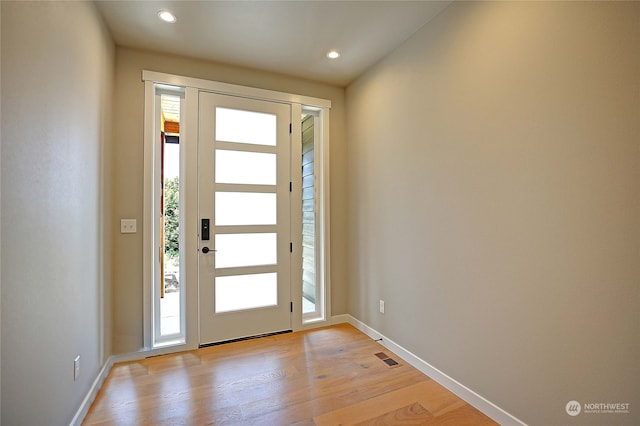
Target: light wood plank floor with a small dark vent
327,376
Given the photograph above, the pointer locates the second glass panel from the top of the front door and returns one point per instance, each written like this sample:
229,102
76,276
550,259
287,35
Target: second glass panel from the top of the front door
245,167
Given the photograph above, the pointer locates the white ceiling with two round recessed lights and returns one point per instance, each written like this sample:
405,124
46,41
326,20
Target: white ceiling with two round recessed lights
287,37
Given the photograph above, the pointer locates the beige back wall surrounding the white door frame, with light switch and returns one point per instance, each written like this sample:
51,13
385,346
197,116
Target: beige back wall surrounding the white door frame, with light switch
128,176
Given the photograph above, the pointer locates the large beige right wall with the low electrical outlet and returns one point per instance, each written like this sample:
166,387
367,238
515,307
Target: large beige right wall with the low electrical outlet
494,203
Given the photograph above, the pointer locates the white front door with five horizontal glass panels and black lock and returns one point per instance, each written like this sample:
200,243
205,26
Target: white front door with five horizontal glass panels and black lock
244,193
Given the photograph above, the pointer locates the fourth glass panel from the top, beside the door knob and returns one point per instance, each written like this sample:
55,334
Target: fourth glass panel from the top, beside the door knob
234,250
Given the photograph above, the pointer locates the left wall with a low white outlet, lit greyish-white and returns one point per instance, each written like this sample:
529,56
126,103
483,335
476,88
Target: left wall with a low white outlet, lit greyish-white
57,75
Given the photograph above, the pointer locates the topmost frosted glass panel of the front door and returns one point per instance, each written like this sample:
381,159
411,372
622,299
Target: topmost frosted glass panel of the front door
233,125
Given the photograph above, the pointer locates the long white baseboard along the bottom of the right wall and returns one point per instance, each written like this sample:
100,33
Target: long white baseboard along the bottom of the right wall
485,406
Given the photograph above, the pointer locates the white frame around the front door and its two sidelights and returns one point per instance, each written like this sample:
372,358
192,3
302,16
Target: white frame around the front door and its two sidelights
189,134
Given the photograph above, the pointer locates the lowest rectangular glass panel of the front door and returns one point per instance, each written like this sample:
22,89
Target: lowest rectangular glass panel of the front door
246,292
